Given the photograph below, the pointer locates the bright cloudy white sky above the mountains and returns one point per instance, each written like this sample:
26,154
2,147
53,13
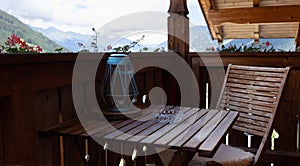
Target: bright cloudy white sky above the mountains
80,15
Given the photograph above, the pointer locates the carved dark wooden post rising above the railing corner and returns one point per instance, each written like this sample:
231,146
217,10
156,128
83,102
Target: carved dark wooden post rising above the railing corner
178,28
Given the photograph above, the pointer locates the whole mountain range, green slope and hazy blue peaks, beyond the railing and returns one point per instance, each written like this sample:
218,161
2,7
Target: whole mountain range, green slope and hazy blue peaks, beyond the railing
51,38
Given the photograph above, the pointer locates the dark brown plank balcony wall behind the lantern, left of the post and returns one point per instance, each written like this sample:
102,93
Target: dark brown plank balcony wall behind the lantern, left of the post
36,92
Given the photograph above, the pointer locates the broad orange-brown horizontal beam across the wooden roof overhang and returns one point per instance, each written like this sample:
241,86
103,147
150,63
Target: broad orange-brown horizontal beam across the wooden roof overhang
255,15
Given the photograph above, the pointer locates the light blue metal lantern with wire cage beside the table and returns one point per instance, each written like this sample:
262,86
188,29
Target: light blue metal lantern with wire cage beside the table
119,90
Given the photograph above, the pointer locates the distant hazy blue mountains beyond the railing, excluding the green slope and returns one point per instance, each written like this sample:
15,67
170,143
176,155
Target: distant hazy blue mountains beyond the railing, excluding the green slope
200,40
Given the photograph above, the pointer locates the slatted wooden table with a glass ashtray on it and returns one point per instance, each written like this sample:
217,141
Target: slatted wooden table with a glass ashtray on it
198,131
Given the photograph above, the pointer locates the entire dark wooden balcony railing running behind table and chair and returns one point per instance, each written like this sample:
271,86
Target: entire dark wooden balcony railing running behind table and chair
36,92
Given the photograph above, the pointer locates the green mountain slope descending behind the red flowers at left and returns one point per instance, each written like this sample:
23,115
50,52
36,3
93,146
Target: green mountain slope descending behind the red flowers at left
11,25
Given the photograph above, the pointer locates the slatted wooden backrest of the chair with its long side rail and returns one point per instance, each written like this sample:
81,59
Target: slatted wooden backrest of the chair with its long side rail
251,107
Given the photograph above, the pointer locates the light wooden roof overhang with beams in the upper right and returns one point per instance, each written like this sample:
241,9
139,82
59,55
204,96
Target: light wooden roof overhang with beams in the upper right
237,19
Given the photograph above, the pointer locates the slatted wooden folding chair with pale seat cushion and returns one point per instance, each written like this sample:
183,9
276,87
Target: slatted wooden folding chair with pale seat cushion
255,93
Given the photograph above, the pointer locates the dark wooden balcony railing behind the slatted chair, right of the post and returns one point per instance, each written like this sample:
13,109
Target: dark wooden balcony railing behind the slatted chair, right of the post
285,123
